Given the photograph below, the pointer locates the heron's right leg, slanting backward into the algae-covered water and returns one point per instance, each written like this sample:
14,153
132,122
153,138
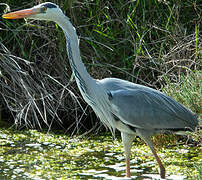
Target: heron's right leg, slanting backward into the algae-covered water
151,146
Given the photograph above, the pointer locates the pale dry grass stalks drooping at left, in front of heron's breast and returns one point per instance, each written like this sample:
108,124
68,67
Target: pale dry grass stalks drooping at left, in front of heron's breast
34,97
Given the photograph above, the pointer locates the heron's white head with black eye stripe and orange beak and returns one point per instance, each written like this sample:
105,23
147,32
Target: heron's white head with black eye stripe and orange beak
44,11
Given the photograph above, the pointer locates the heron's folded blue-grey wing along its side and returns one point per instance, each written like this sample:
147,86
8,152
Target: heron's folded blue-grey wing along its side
150,109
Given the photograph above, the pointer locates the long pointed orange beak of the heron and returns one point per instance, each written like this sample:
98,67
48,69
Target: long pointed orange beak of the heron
22,13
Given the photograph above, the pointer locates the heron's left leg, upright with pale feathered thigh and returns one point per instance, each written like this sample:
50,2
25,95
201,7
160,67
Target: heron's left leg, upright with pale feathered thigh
127,140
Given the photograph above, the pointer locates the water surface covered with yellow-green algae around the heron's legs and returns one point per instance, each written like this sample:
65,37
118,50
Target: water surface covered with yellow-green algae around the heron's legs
32,154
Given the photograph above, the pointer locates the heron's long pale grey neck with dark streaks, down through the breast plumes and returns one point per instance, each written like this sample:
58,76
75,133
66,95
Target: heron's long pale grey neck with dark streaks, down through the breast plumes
88,86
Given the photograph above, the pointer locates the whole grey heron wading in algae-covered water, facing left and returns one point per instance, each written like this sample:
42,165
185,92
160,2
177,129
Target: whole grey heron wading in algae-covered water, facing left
131,108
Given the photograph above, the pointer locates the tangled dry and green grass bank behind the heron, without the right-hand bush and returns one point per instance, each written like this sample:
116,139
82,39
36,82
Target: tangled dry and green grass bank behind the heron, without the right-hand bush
149,43
